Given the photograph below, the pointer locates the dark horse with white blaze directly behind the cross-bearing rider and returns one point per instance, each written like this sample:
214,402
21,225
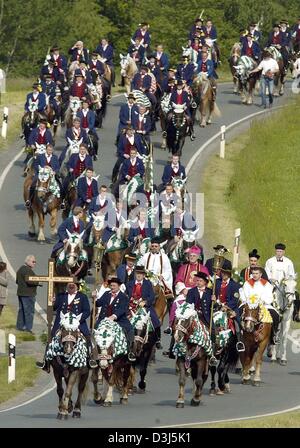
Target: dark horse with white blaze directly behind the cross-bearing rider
72,259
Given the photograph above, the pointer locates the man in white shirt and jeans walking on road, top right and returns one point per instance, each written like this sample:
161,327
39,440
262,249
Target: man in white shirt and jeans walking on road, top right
269,67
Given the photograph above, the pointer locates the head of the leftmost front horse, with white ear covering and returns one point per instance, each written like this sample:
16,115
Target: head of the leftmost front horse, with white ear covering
69,325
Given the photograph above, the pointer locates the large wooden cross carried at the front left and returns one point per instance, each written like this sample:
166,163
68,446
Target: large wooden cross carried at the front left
51,279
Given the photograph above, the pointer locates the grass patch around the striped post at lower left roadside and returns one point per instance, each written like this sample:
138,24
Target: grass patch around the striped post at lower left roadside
26,373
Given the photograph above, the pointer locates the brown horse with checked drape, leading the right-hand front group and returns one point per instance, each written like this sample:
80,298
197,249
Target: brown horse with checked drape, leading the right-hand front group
190,352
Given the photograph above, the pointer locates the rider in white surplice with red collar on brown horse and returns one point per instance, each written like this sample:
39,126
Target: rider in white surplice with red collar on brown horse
262,290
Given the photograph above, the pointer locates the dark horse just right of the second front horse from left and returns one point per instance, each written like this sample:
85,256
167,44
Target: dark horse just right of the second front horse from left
144,341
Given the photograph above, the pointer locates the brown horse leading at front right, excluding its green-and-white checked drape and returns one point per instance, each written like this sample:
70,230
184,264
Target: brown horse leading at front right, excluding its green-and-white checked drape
195,357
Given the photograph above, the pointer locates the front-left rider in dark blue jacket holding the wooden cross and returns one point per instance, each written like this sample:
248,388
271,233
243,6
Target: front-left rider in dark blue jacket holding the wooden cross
77,303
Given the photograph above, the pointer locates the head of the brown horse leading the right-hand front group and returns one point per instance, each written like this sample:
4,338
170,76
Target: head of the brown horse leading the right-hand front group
184,322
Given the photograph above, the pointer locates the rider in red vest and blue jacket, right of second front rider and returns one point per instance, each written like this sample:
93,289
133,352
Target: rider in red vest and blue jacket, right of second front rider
140,292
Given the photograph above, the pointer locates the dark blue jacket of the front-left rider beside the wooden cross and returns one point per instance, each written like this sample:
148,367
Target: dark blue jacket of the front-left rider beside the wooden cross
79,305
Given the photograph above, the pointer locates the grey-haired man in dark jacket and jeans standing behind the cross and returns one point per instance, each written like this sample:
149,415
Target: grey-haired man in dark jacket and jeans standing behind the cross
26,294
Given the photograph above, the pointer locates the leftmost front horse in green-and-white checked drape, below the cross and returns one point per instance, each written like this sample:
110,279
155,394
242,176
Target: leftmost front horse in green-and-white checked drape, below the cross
68,356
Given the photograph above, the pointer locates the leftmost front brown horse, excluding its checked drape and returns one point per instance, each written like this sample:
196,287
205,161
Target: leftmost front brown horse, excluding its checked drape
62,370
